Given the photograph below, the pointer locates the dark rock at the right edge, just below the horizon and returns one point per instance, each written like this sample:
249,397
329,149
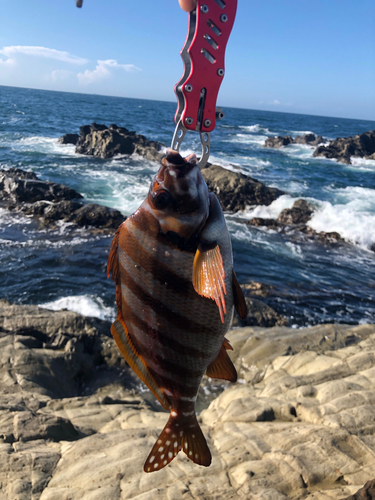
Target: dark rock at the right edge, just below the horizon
343,148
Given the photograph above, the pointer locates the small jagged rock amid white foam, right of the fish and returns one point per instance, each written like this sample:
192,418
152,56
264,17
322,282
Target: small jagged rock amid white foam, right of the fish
293,223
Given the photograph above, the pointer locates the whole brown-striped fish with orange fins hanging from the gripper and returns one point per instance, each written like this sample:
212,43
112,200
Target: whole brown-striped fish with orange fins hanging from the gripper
176,289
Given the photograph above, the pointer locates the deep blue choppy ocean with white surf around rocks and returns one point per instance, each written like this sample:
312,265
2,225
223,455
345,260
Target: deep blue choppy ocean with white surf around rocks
309,283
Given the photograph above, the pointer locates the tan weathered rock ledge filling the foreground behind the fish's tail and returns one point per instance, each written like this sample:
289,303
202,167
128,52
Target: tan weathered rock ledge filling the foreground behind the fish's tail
299,423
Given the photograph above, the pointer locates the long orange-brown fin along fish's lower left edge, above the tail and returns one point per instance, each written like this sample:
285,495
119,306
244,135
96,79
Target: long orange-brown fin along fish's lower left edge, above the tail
122,338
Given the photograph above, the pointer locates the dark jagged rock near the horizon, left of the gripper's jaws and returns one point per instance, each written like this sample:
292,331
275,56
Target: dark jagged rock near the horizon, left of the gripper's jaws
106,142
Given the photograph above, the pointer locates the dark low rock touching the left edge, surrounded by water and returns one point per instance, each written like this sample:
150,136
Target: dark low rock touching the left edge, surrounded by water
17,186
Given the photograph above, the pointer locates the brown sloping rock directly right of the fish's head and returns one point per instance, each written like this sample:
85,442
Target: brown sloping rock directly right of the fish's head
236,191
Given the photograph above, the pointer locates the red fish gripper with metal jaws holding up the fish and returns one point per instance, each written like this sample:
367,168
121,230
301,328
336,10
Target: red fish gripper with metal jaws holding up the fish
210,25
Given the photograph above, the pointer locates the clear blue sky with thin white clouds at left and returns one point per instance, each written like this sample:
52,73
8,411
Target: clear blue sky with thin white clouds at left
294,56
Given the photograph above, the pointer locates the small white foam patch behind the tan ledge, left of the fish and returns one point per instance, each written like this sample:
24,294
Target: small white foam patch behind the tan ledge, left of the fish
88,305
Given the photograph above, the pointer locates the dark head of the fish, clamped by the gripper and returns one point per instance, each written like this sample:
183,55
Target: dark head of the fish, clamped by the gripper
178,196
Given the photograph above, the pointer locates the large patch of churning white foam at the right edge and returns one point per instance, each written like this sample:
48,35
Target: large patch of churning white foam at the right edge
352,216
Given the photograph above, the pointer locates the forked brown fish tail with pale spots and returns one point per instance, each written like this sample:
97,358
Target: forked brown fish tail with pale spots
180,433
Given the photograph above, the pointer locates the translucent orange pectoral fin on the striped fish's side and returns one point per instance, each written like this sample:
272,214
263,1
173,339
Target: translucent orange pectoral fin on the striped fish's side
208,277
